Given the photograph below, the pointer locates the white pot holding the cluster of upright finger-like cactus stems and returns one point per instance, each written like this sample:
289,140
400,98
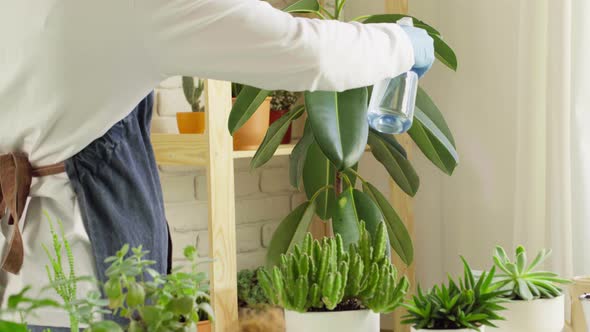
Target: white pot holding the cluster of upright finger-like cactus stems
341,321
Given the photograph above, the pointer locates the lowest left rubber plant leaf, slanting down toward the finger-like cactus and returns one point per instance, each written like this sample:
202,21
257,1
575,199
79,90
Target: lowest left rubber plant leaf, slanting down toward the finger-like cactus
290,232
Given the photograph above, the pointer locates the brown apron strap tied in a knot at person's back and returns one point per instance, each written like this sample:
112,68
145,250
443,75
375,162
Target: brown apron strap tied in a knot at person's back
15,184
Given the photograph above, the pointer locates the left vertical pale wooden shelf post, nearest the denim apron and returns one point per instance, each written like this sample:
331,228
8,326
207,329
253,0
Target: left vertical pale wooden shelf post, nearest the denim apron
222,225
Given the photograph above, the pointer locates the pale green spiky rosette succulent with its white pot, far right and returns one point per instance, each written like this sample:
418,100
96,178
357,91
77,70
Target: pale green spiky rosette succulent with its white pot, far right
536,299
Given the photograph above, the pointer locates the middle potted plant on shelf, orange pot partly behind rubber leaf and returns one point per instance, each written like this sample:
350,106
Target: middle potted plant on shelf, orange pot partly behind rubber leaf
253,126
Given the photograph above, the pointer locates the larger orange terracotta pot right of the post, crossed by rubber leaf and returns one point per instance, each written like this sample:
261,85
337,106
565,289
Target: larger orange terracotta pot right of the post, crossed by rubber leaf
251,134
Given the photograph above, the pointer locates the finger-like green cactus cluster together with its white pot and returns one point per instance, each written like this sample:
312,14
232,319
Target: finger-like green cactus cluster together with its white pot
324,287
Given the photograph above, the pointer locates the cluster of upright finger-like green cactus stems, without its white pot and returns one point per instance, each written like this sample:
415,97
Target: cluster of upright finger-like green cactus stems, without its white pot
322,274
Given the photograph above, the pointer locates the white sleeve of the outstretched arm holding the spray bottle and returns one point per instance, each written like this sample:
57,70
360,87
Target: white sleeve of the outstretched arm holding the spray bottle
250,42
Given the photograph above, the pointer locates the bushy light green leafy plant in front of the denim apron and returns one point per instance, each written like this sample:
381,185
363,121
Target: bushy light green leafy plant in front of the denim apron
166,302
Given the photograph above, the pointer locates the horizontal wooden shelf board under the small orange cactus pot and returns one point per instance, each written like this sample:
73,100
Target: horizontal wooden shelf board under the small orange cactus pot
175,149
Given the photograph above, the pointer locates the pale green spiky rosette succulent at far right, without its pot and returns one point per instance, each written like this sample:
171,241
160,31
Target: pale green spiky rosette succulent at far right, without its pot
523,281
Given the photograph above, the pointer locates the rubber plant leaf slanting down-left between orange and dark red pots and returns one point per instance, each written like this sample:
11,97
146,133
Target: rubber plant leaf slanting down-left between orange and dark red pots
275,134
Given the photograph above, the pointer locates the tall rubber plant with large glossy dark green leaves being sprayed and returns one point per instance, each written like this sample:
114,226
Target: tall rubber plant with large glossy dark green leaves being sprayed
325,161
